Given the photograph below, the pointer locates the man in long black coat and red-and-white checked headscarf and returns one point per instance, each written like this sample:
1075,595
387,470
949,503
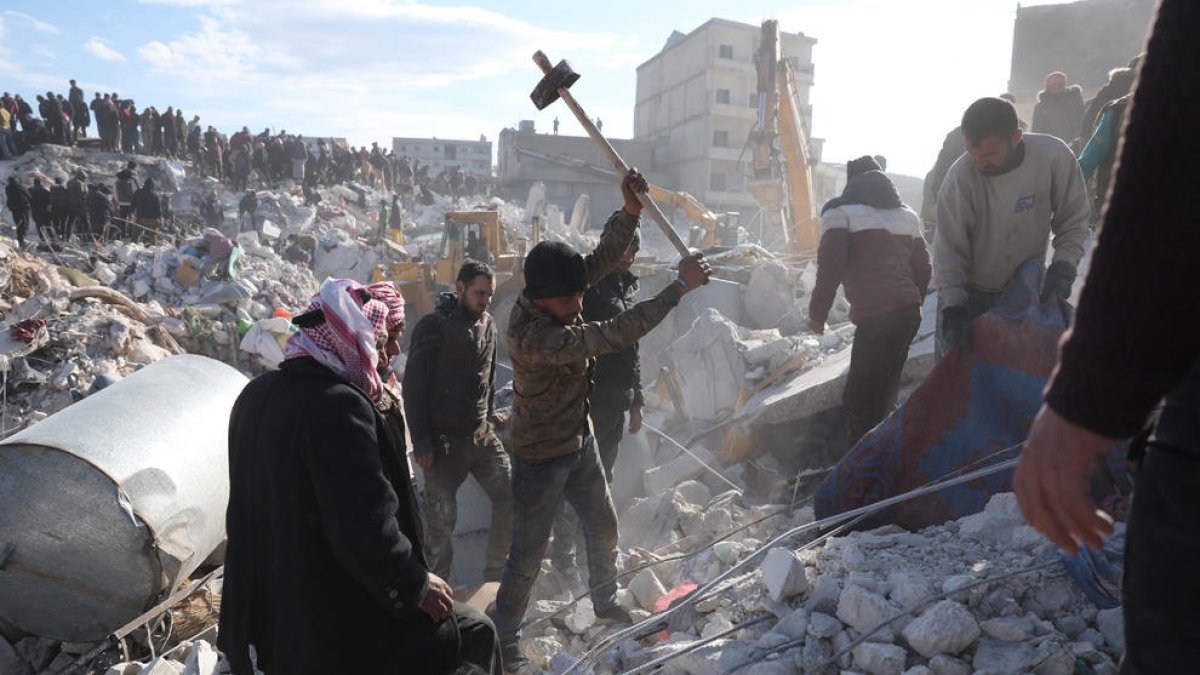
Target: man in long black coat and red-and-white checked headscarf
325,570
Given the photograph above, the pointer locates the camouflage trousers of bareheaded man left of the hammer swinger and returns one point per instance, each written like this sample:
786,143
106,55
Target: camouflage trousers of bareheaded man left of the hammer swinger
484,458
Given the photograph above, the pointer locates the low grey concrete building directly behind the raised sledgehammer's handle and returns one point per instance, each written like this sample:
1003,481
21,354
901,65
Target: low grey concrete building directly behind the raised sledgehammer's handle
569,166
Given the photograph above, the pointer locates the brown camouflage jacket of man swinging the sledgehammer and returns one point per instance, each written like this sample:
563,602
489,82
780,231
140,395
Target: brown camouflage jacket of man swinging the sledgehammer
553,363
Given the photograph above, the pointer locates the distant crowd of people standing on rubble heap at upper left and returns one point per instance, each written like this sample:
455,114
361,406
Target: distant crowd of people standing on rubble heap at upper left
245,163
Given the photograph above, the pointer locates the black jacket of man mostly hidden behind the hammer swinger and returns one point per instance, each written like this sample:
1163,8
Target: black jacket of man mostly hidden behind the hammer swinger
619,372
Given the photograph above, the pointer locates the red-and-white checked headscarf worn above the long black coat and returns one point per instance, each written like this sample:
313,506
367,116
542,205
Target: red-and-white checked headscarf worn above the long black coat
346,342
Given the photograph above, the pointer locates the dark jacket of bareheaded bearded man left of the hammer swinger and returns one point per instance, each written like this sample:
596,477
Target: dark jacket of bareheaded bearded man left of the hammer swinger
451,375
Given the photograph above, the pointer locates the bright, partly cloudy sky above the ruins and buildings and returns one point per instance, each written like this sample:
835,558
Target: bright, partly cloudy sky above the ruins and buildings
892,77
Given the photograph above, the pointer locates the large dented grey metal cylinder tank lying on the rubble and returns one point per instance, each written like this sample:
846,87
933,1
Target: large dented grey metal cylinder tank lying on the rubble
109,505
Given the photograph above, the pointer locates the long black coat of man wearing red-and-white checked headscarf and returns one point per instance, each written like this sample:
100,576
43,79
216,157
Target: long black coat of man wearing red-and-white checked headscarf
325,570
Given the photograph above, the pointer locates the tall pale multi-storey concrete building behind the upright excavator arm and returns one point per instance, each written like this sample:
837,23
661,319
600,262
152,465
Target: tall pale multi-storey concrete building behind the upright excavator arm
701,95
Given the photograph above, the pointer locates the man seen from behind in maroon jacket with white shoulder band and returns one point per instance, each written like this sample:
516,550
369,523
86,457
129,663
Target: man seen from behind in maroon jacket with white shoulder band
872,243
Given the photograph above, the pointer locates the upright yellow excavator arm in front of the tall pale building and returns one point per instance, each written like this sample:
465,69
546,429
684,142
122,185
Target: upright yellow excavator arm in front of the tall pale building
781,175
